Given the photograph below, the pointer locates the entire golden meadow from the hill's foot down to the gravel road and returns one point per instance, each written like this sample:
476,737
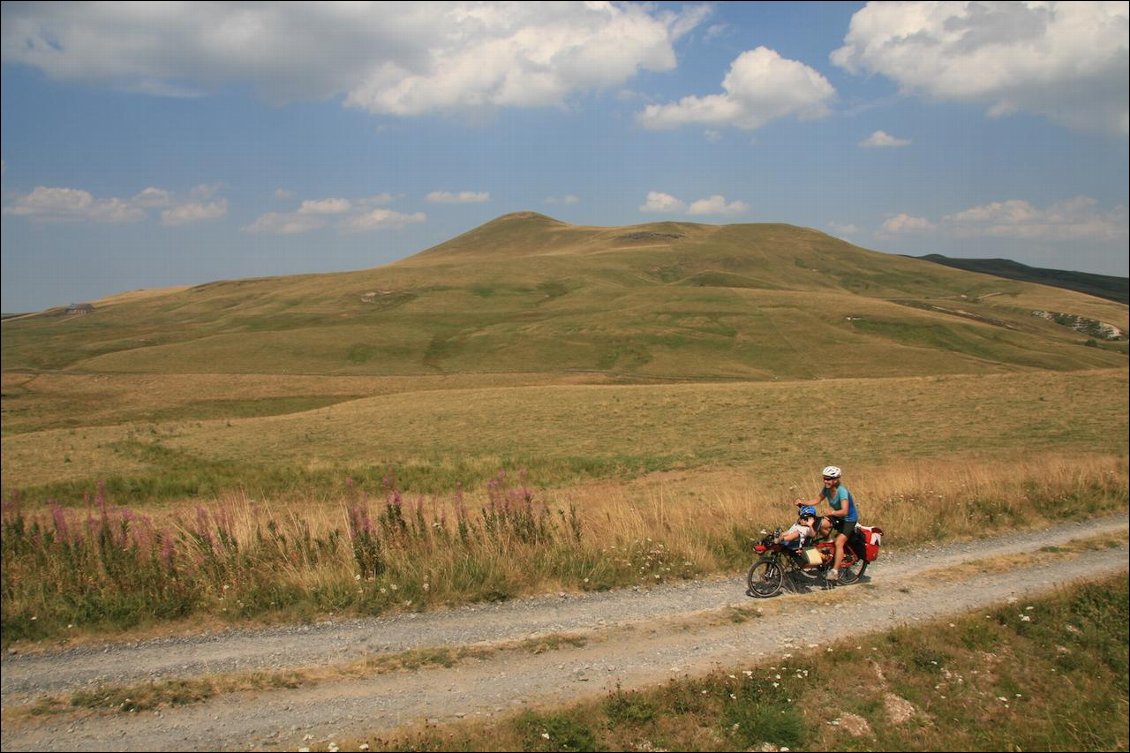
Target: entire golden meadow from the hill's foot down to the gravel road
393,496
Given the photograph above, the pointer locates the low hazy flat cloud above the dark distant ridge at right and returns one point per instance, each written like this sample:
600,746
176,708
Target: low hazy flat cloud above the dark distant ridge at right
1077,219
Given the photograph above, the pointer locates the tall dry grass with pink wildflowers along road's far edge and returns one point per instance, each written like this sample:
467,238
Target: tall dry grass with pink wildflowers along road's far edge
105,568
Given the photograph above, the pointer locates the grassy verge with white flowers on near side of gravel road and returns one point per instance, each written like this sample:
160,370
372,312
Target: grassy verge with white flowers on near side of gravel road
1047,674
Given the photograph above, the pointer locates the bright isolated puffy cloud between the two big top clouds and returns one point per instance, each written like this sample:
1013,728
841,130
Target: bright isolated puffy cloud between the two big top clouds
760,88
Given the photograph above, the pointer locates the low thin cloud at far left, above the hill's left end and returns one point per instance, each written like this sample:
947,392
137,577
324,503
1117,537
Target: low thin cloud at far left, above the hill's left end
56,204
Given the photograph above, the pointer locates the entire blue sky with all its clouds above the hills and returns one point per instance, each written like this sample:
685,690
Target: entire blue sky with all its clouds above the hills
151,145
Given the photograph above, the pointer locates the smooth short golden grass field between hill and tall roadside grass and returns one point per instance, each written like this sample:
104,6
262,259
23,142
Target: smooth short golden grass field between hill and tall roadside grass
775,432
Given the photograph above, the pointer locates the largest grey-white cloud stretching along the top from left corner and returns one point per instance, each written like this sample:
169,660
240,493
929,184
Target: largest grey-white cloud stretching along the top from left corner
393,58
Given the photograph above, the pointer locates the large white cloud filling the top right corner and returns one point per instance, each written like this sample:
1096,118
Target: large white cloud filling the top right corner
1066,62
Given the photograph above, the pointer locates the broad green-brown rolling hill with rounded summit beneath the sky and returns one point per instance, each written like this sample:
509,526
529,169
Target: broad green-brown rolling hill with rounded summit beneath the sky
529,295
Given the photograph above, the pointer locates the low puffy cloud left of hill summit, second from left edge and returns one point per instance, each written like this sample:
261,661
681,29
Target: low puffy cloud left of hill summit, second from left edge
345,215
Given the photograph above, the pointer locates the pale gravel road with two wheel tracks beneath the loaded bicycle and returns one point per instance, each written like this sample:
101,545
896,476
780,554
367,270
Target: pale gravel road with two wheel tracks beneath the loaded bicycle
631,638
